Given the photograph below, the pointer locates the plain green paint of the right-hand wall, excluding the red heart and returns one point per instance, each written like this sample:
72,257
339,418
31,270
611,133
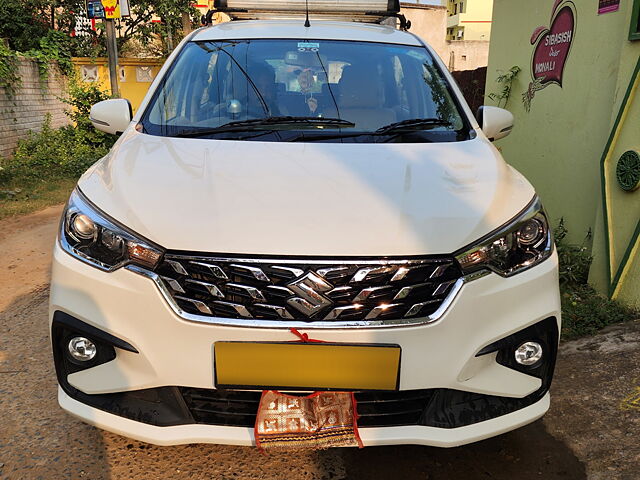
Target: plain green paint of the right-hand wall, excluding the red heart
559,143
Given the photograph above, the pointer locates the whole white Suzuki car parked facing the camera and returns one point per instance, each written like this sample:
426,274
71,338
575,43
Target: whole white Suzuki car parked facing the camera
329,179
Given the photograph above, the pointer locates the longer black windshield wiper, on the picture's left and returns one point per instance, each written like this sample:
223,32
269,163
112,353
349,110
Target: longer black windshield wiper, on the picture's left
242,125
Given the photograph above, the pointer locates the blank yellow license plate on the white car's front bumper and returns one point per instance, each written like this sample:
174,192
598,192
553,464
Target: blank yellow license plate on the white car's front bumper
311,366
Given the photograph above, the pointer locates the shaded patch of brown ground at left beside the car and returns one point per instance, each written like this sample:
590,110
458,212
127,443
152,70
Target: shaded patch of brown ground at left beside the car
37,439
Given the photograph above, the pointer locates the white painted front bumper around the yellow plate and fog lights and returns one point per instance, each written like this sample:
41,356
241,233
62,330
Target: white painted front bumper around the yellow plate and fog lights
171,351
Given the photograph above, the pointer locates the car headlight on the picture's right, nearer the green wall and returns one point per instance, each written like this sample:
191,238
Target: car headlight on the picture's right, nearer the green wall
522,243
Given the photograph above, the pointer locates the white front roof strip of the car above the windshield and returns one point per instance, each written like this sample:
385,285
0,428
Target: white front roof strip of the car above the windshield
319,30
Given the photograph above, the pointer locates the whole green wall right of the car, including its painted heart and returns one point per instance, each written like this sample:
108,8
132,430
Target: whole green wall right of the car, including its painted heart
577,110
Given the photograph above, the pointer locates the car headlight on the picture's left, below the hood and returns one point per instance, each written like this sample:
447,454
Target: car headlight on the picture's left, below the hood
92,237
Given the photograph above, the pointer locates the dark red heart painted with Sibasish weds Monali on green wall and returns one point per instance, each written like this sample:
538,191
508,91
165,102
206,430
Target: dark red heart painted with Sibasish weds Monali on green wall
552,45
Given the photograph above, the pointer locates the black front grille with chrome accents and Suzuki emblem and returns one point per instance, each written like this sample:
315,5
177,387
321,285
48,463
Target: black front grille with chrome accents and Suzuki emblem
308,290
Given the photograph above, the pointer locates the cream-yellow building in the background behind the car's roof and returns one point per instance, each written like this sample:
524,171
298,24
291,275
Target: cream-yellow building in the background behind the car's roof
469,20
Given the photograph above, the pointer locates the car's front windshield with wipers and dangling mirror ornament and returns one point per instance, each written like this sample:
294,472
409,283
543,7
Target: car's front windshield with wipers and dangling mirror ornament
287,90
